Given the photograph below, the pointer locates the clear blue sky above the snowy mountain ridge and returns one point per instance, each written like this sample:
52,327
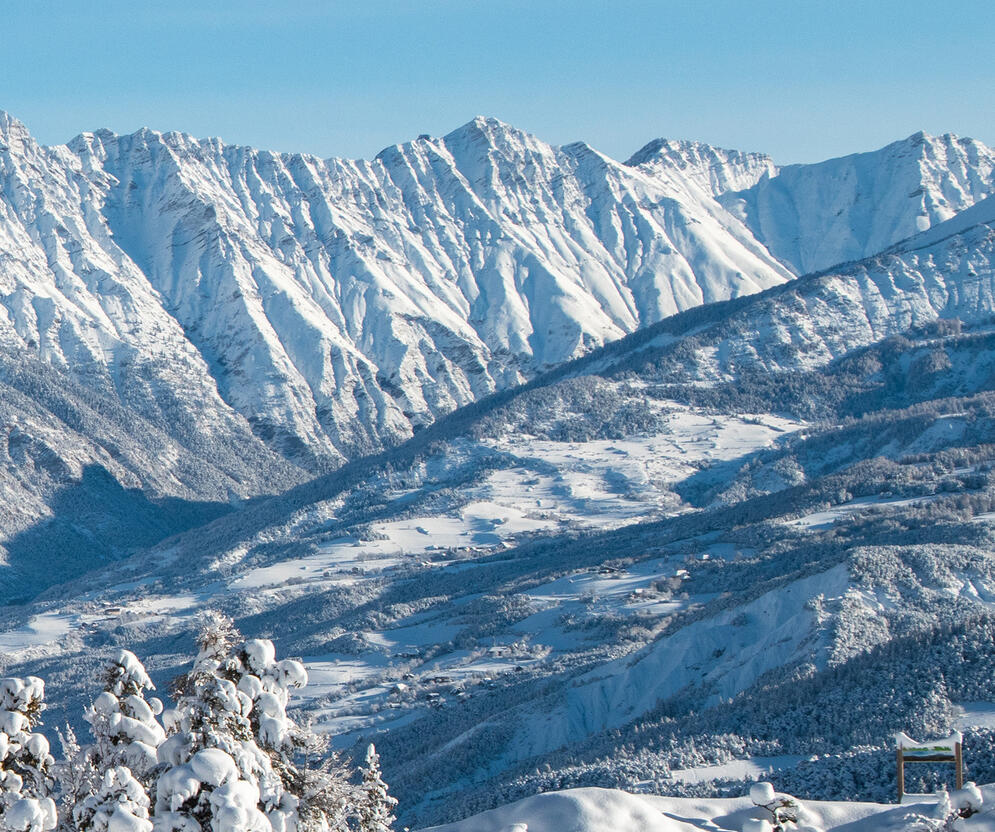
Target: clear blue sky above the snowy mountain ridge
801,80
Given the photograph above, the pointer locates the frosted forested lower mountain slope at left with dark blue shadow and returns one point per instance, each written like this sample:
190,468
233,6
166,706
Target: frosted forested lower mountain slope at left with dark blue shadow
84,480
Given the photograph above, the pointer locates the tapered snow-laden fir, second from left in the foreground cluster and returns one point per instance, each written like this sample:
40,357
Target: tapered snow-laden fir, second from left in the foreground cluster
124,725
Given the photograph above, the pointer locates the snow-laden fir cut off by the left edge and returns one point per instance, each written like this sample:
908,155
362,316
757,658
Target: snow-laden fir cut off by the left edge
25,761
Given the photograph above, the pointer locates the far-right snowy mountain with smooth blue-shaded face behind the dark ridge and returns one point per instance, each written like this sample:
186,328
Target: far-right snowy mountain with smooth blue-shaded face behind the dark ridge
816,216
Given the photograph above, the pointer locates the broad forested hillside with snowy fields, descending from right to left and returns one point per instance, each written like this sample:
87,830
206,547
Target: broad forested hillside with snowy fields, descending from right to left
695,546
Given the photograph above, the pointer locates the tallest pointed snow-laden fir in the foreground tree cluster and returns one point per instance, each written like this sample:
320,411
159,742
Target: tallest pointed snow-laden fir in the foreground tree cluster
216,776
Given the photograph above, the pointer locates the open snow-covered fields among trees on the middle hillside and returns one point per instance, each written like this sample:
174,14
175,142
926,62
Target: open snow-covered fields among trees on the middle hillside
526,487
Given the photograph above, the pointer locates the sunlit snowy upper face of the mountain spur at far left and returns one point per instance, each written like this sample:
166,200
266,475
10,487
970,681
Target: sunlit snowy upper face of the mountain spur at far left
73,299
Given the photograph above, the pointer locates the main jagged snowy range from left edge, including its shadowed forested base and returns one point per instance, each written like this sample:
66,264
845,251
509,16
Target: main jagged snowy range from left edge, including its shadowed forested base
199,313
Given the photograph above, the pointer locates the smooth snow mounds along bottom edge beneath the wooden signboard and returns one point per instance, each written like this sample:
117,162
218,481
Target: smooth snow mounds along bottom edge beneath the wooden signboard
611,810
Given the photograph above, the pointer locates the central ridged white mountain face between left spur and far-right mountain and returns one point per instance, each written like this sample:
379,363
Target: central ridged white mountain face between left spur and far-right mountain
375,296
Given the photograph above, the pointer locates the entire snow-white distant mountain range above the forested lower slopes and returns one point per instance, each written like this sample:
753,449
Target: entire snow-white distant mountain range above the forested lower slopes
336,306
